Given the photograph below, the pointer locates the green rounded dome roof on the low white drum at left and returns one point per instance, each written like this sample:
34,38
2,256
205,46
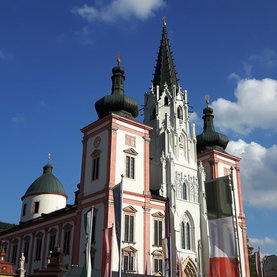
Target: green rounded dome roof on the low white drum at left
46,183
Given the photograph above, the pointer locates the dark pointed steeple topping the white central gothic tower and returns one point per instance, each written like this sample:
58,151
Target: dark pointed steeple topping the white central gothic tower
165,67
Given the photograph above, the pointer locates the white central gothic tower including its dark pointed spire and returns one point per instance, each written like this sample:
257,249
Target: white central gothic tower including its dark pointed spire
173,158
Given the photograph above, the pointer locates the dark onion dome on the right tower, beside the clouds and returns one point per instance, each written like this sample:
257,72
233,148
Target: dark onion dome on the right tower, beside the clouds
210,139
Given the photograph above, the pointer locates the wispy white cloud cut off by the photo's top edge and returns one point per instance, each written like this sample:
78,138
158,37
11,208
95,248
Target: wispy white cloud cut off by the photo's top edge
124,9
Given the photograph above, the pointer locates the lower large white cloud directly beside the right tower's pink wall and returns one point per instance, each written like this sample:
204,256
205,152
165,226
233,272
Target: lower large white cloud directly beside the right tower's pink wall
258,172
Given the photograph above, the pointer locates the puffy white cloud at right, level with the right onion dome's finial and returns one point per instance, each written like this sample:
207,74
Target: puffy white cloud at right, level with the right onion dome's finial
255,107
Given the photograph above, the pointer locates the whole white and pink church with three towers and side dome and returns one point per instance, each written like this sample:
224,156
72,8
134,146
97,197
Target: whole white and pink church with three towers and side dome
181,207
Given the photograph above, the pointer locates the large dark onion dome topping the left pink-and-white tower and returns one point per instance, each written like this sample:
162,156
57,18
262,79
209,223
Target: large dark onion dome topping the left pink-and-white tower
117,102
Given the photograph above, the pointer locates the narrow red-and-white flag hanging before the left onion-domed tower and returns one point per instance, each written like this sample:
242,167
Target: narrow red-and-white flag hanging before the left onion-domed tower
107,252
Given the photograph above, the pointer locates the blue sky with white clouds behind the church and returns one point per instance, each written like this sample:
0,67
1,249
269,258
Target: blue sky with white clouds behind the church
56,59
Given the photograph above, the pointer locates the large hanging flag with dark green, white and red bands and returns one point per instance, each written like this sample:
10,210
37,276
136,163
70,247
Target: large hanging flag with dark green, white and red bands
223,260
